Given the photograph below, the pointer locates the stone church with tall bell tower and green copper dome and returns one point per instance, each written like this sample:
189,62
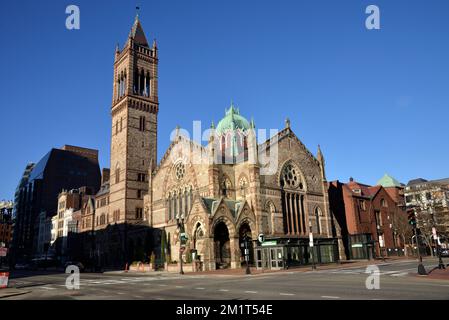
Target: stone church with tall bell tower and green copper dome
211,201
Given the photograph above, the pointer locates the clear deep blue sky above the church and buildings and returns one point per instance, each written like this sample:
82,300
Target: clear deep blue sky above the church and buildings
376,101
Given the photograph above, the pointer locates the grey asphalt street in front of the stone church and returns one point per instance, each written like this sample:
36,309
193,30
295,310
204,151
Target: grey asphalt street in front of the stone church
398,280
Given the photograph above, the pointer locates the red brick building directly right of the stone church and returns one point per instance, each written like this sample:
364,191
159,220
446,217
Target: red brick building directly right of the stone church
369,217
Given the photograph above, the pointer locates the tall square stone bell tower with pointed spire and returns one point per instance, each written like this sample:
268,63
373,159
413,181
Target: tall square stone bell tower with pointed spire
134,112
